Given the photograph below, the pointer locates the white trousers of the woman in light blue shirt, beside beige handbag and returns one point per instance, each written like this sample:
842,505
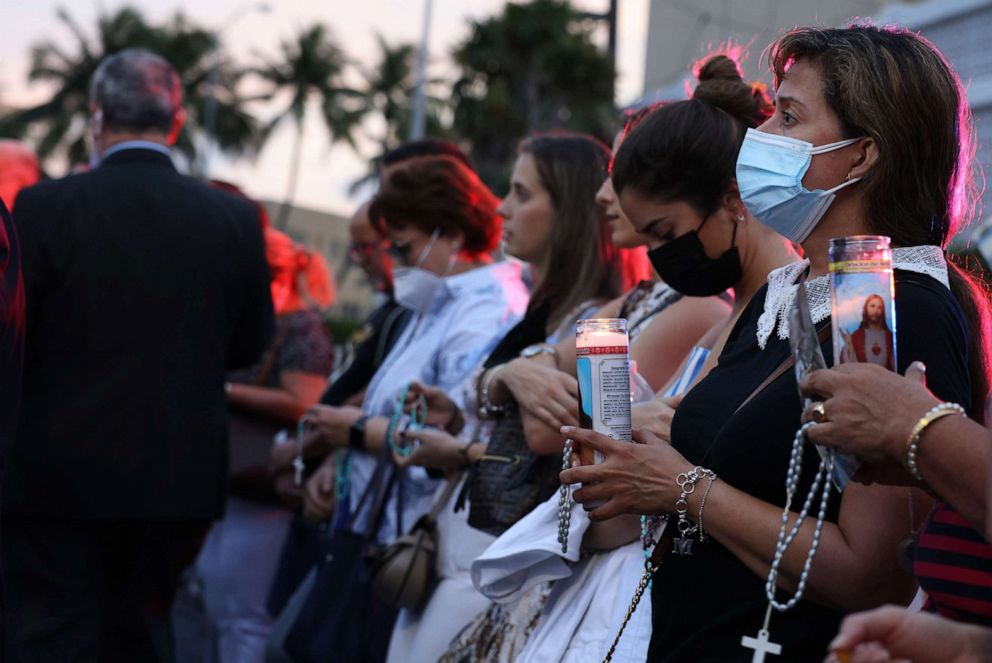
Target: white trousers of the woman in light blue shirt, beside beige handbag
421,637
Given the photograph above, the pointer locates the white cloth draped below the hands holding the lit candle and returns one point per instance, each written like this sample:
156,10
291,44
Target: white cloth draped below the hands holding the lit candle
589,598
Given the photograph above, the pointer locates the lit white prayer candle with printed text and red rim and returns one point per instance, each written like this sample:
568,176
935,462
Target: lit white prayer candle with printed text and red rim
602,351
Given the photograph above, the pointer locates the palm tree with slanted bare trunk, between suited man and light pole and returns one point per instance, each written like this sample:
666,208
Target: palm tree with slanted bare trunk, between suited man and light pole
311,69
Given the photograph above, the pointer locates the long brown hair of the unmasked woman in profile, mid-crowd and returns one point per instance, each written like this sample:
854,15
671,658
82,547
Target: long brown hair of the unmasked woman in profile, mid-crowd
582,262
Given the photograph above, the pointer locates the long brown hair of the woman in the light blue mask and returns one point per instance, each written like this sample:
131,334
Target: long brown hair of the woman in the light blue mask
895,87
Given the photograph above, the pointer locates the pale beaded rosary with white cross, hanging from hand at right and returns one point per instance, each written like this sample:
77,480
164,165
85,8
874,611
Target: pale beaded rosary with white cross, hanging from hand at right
761,644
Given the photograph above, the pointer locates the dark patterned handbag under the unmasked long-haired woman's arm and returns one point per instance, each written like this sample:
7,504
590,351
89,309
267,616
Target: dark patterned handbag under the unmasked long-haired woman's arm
510,479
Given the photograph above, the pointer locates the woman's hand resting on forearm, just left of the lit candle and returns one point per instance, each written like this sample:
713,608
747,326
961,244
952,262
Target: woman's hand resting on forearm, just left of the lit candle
551,395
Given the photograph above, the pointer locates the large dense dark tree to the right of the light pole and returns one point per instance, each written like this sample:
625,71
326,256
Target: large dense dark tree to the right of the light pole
532,68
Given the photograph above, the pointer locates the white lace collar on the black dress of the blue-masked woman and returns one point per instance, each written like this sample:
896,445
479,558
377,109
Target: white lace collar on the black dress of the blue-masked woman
783,283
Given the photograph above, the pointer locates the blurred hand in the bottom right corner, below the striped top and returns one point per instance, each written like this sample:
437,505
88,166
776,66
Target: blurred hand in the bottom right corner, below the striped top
895,634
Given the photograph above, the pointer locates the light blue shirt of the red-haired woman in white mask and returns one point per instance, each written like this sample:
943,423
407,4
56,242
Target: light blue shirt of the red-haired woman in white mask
469,315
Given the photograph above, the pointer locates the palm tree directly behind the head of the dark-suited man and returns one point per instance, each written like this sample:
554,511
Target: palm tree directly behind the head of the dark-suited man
62,120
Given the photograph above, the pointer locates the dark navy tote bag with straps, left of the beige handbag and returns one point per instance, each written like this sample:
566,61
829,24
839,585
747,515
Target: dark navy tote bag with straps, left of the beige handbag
341,618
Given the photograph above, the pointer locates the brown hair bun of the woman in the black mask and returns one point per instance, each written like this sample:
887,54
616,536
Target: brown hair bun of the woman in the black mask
721,85
